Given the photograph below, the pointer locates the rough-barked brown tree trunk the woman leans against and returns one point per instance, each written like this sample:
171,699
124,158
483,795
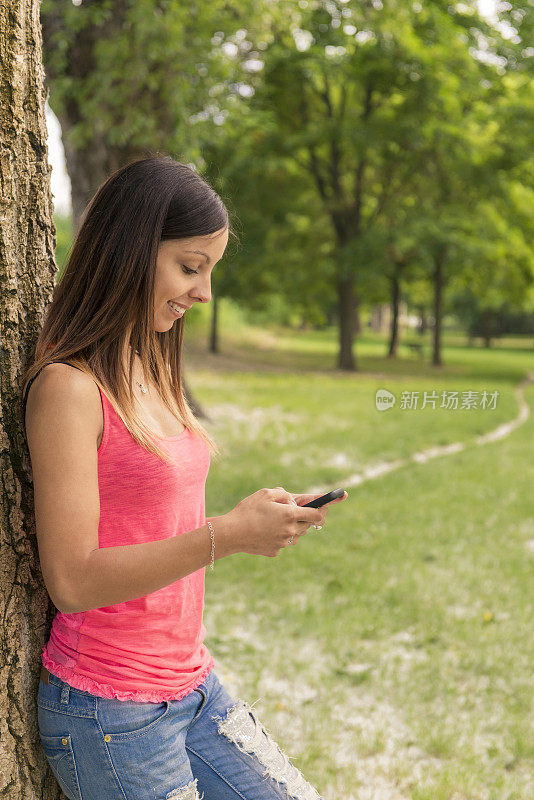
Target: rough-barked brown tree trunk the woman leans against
27,242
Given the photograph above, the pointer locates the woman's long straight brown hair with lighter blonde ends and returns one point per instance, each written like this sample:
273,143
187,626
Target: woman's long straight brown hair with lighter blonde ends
105,298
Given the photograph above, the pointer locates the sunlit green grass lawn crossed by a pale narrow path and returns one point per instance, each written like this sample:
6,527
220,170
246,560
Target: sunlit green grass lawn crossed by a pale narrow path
390,654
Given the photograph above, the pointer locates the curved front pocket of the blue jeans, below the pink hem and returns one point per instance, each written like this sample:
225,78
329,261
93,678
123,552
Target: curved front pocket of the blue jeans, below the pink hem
127,719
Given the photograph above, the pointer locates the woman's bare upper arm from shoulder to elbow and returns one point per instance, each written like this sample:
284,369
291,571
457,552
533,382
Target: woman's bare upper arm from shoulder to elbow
63,416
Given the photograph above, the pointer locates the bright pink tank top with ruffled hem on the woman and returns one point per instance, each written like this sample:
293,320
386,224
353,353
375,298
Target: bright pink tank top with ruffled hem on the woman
149,649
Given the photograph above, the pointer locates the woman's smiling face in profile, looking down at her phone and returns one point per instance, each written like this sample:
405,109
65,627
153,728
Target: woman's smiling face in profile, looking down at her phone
183,276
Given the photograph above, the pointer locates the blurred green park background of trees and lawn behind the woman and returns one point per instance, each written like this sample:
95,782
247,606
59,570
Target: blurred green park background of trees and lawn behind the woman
373,329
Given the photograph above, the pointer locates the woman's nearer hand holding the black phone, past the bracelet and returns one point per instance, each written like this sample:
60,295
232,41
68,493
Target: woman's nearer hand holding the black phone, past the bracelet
265,521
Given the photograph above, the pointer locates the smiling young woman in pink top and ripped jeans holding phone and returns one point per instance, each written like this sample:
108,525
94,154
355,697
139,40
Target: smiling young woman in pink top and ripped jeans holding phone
129,704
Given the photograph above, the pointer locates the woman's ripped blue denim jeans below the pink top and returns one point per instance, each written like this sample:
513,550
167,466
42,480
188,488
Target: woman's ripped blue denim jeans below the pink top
207,742
